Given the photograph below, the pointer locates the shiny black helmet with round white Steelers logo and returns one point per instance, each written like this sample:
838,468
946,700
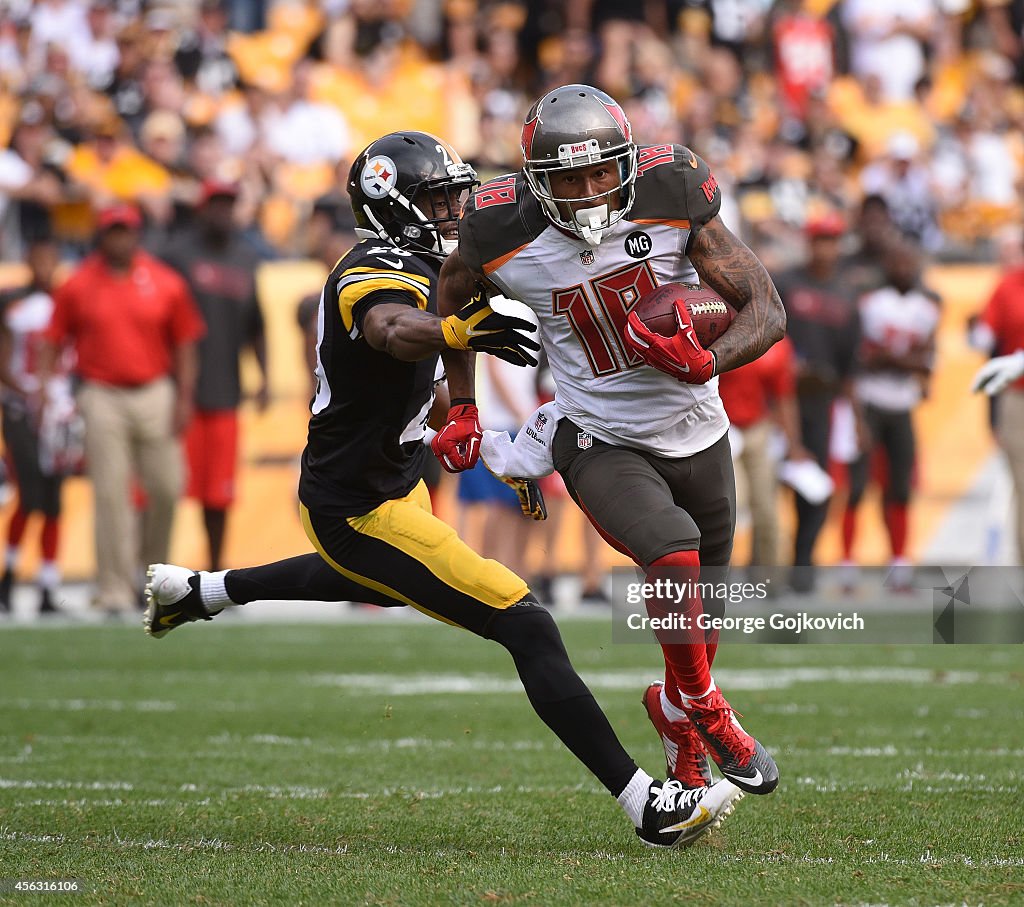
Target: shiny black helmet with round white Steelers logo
396,184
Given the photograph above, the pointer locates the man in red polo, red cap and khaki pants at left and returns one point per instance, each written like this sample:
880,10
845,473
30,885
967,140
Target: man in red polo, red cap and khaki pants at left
134,326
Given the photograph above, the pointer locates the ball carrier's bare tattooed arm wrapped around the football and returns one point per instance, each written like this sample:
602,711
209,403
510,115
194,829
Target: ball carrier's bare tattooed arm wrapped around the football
727,266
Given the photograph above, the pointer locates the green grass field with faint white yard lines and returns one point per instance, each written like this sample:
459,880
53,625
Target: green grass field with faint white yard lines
398,762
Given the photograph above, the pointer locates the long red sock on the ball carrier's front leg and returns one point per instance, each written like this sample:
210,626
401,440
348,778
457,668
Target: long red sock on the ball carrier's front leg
687,663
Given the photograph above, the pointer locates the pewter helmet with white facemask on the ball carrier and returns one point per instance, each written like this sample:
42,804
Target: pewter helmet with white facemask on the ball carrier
577,126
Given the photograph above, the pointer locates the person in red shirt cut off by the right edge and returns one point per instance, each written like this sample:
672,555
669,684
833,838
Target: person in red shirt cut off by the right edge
1001,331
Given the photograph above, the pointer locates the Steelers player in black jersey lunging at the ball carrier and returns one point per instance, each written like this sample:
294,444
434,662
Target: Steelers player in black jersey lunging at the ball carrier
363,504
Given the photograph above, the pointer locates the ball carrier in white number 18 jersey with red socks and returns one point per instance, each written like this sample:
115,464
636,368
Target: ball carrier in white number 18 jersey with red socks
591,224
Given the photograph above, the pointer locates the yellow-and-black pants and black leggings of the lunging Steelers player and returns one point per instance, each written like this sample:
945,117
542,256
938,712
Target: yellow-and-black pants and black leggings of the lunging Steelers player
401,554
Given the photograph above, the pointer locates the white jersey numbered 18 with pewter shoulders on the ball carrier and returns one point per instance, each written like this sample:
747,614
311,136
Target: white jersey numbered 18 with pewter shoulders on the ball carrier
583,294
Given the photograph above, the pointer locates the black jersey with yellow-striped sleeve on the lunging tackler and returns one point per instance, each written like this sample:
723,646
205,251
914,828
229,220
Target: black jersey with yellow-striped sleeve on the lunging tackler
365,444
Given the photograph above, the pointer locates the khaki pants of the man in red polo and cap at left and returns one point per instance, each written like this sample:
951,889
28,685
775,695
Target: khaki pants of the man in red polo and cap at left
129,435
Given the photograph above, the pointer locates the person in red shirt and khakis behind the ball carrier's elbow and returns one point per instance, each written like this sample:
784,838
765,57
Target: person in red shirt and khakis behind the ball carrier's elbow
759,399
